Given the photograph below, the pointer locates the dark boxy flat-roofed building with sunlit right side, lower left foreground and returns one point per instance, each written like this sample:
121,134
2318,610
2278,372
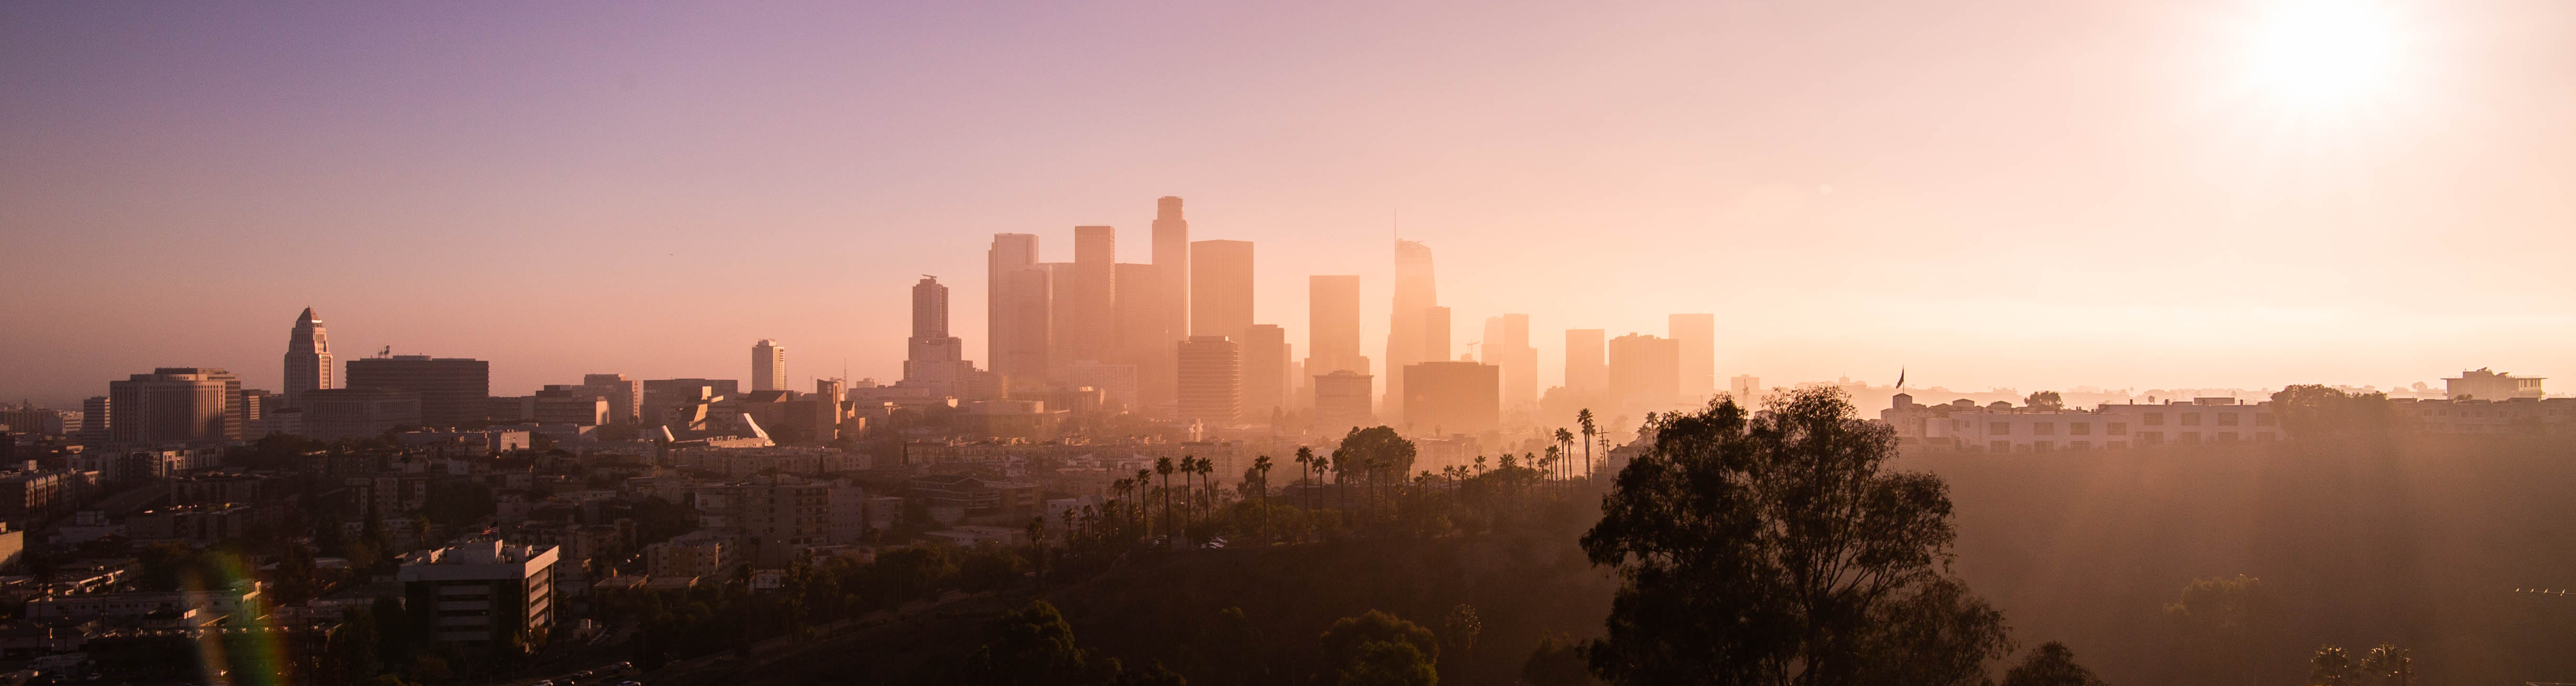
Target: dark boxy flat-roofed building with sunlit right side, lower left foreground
501,594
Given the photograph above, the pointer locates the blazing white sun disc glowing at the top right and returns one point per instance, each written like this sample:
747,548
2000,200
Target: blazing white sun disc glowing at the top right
2325,53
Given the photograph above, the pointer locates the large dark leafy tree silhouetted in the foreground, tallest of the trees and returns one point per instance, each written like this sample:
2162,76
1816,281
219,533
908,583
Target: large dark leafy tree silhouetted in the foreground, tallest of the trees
1779,551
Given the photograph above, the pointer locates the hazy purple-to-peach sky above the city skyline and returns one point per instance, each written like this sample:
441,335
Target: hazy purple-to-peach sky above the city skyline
1990,195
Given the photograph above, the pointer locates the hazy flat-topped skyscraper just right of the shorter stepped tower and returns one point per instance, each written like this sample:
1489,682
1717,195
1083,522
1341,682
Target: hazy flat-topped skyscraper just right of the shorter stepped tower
1016,311
